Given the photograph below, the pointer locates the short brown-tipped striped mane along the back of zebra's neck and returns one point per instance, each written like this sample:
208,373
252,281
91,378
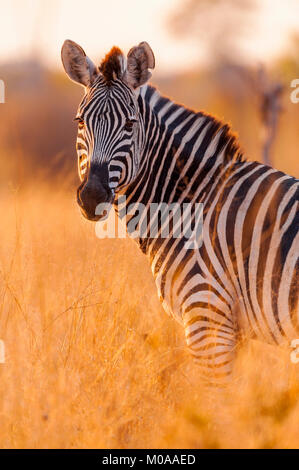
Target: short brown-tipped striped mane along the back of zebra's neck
228,139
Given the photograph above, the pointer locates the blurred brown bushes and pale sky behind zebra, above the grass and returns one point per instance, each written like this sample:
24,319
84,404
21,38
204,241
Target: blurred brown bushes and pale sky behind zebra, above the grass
208,54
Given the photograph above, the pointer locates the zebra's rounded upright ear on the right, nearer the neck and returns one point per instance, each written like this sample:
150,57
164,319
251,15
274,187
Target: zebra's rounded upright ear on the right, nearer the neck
140,59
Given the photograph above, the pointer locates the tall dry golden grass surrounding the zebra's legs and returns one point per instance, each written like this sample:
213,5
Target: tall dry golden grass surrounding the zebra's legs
93,361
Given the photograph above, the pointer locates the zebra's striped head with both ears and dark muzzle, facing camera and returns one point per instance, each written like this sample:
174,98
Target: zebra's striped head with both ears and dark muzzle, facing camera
110,127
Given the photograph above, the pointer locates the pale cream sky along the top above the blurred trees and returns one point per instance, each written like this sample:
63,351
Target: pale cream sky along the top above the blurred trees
41,26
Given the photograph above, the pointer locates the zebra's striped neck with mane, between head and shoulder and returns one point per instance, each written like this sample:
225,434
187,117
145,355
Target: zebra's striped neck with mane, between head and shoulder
183,153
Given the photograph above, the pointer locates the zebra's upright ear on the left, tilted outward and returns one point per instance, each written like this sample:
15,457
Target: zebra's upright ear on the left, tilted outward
77,65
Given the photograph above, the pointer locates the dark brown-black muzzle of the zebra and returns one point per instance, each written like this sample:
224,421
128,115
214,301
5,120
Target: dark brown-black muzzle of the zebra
91,193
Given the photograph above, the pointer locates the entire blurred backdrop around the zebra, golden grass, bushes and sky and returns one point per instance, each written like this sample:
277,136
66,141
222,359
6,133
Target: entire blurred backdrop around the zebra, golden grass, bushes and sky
91,358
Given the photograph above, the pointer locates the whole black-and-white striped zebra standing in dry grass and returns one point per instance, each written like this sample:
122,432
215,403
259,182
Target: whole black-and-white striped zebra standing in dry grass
132,141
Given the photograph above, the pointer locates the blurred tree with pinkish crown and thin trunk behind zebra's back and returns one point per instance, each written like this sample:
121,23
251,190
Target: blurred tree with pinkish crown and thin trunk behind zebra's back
221,26
